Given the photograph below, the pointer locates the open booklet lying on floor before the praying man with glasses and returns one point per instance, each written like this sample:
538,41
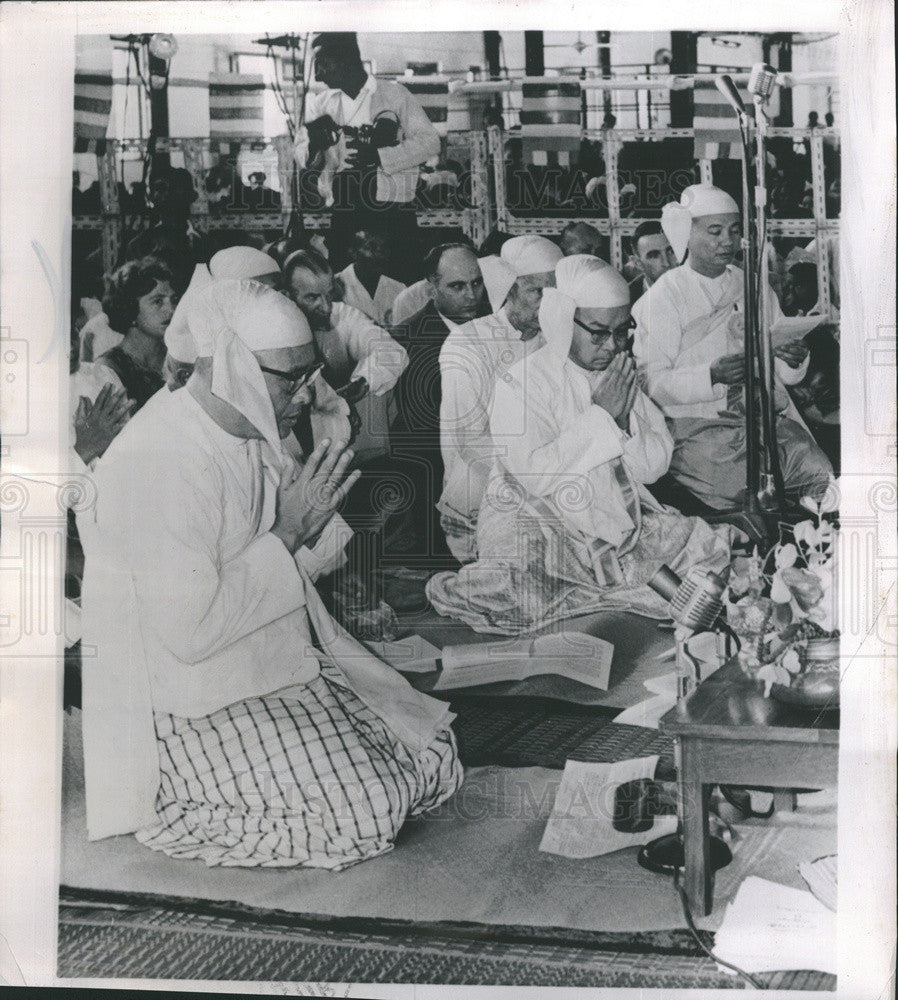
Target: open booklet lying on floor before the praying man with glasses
575,655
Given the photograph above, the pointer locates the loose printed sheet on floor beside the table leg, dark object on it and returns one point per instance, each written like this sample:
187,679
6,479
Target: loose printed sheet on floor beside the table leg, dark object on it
581,822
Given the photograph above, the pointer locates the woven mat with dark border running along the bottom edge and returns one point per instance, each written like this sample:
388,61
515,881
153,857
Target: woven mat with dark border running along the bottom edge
118,935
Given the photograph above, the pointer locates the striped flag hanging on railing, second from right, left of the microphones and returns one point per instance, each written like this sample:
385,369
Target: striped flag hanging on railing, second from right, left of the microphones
551,122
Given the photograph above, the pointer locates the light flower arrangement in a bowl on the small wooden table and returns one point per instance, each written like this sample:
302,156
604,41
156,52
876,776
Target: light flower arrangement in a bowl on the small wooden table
783,604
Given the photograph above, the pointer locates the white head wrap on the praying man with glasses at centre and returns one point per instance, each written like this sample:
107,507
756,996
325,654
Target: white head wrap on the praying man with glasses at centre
581,282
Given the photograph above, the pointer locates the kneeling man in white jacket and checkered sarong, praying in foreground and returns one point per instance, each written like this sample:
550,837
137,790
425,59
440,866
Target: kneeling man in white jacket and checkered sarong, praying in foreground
226,717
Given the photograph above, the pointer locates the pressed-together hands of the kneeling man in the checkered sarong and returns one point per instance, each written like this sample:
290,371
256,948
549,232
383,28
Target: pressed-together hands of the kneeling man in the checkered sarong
309,497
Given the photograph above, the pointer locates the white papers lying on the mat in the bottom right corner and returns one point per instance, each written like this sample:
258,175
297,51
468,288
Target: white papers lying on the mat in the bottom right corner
771,927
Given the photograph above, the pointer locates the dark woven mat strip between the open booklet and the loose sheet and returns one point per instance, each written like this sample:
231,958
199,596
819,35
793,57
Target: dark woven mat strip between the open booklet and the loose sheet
543,732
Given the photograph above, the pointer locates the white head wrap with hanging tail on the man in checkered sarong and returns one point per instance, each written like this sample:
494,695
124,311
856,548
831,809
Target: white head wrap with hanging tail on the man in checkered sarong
231,319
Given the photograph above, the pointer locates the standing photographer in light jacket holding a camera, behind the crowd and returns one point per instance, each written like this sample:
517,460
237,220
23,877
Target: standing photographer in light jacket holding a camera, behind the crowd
369,138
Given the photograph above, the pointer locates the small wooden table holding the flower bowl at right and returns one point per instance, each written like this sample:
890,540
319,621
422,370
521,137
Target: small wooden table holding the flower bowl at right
730,734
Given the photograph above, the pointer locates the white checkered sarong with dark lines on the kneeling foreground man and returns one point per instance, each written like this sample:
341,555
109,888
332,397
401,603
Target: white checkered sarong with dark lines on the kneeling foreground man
279,782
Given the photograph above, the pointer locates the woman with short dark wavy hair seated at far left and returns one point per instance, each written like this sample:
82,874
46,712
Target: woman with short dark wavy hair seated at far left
139,303
